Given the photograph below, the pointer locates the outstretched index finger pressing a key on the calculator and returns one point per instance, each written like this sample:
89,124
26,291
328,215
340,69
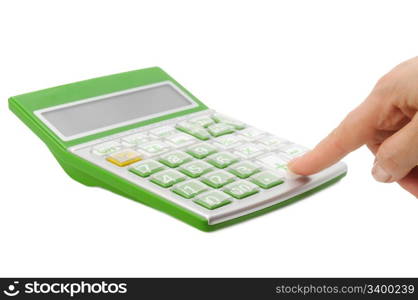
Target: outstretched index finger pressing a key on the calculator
353,132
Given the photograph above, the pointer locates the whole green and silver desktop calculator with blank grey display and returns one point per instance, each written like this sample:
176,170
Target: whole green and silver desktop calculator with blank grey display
142,135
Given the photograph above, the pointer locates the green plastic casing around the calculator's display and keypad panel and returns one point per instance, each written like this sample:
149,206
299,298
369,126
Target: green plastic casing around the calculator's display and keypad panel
89,174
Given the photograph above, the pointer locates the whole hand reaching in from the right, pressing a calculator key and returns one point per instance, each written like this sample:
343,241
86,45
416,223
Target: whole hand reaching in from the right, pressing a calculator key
387,122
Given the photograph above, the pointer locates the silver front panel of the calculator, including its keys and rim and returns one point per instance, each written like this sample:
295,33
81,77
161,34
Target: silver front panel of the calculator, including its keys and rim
215,166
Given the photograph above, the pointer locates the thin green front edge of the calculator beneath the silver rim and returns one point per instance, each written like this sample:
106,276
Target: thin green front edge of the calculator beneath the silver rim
213,227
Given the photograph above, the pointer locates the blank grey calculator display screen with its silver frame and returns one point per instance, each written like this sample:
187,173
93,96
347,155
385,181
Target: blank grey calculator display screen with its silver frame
122,108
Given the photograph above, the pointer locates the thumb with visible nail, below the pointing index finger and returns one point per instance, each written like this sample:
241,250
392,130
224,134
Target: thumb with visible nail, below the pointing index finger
398,154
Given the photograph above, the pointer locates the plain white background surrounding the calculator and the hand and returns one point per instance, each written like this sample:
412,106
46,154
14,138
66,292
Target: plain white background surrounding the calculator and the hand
294,68
